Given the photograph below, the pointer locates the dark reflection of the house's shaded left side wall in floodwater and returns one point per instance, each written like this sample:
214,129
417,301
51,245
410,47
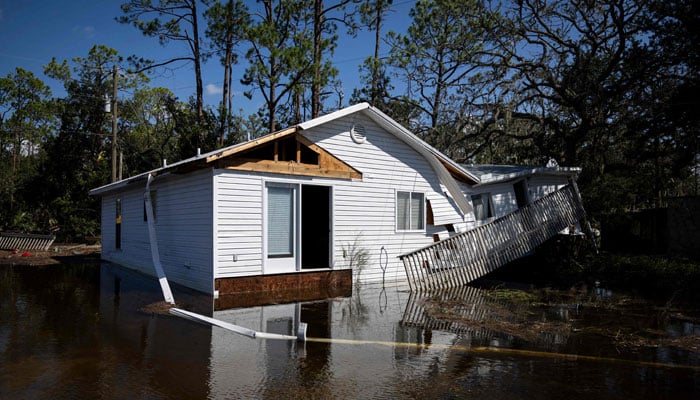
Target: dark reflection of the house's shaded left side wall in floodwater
146,350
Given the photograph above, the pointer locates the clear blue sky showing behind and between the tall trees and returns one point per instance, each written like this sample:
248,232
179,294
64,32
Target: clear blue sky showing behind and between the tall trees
34,31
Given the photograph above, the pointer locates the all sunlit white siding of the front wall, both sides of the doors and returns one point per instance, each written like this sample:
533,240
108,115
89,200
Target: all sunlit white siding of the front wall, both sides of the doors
364,211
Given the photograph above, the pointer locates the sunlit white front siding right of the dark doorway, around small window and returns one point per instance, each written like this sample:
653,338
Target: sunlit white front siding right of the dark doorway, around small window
364,210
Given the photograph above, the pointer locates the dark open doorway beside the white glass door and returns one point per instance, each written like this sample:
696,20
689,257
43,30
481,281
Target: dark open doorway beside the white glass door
315,226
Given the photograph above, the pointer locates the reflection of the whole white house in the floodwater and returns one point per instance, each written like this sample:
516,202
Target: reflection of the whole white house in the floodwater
181,356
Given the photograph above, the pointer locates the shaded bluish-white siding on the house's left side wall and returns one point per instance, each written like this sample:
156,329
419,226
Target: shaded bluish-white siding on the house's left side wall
183,229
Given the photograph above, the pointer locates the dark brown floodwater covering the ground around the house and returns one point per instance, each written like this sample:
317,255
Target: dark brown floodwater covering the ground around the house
93,331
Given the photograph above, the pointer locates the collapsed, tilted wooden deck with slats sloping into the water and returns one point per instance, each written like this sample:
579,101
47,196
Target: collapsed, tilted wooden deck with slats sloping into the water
469,255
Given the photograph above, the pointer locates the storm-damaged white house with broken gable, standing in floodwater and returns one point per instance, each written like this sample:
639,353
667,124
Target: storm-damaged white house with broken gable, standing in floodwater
299,206
